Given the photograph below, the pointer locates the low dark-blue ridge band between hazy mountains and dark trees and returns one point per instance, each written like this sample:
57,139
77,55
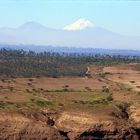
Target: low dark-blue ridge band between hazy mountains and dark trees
72,50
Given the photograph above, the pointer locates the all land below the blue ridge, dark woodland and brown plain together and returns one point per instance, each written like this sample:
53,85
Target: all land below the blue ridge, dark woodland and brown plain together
68,96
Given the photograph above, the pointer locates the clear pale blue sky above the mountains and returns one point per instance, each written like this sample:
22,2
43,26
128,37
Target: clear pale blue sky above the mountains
121,16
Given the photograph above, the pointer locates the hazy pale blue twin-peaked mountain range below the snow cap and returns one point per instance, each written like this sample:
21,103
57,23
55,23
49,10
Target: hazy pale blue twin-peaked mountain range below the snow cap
94,37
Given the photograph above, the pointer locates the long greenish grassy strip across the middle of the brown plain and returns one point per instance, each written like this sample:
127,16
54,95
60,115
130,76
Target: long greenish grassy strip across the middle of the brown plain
60,99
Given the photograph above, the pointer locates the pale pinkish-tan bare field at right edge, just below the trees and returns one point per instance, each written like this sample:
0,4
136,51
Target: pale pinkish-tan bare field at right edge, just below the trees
124,74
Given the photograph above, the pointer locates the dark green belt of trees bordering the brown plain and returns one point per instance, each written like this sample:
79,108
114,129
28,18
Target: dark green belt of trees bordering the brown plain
28,63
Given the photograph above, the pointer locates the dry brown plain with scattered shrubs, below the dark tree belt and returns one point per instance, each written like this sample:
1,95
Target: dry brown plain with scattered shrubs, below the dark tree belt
104,105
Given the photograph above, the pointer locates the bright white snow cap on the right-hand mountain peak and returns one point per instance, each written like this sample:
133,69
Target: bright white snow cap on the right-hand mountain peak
80,24
